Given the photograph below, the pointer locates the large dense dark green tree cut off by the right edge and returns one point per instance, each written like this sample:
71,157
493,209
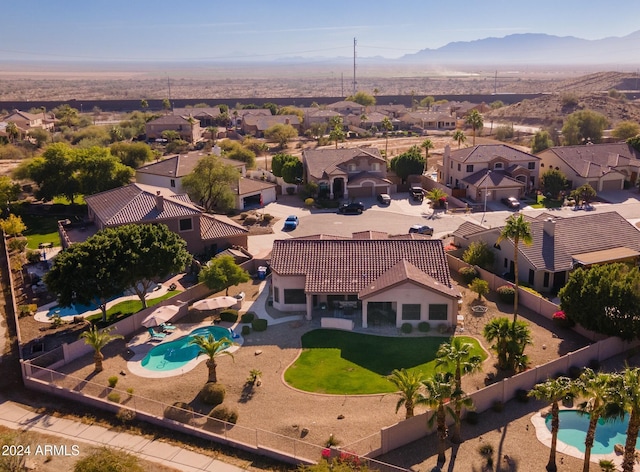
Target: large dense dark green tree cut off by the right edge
604,298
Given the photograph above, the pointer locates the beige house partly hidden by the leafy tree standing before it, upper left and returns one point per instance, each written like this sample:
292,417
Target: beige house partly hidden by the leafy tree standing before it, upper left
169,173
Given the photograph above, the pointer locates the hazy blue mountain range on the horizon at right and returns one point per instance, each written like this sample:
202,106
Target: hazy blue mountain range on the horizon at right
530,49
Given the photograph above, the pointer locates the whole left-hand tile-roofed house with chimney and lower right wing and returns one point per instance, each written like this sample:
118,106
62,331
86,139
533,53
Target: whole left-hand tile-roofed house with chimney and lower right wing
138,203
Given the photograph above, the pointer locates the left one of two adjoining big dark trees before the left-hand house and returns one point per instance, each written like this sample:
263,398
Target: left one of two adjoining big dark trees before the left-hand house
89,272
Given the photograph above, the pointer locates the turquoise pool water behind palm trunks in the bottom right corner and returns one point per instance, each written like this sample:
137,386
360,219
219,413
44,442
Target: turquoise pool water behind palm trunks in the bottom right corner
574,426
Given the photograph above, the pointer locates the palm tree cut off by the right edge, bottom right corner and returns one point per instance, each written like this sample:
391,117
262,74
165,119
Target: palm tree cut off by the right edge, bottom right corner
629,390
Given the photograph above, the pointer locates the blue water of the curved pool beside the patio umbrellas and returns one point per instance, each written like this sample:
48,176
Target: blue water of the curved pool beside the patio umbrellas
175,354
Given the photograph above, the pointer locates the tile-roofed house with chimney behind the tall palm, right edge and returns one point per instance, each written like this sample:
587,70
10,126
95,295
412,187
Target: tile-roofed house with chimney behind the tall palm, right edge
559,245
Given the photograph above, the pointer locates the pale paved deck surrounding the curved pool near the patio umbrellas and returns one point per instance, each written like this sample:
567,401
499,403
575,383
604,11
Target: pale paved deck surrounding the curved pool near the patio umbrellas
141,344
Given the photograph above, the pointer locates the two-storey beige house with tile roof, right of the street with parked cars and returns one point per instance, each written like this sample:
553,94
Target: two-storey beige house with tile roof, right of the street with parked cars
493,171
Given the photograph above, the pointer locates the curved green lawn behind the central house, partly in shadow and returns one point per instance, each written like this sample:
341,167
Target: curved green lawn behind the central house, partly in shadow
346,363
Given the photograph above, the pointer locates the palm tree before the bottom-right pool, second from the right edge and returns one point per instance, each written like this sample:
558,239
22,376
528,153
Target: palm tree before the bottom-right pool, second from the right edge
596,388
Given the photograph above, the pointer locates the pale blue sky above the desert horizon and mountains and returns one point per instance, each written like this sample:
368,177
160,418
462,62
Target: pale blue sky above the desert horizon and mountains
266,30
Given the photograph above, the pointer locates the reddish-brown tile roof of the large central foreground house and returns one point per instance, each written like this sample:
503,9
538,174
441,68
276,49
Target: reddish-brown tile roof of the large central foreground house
350,265
